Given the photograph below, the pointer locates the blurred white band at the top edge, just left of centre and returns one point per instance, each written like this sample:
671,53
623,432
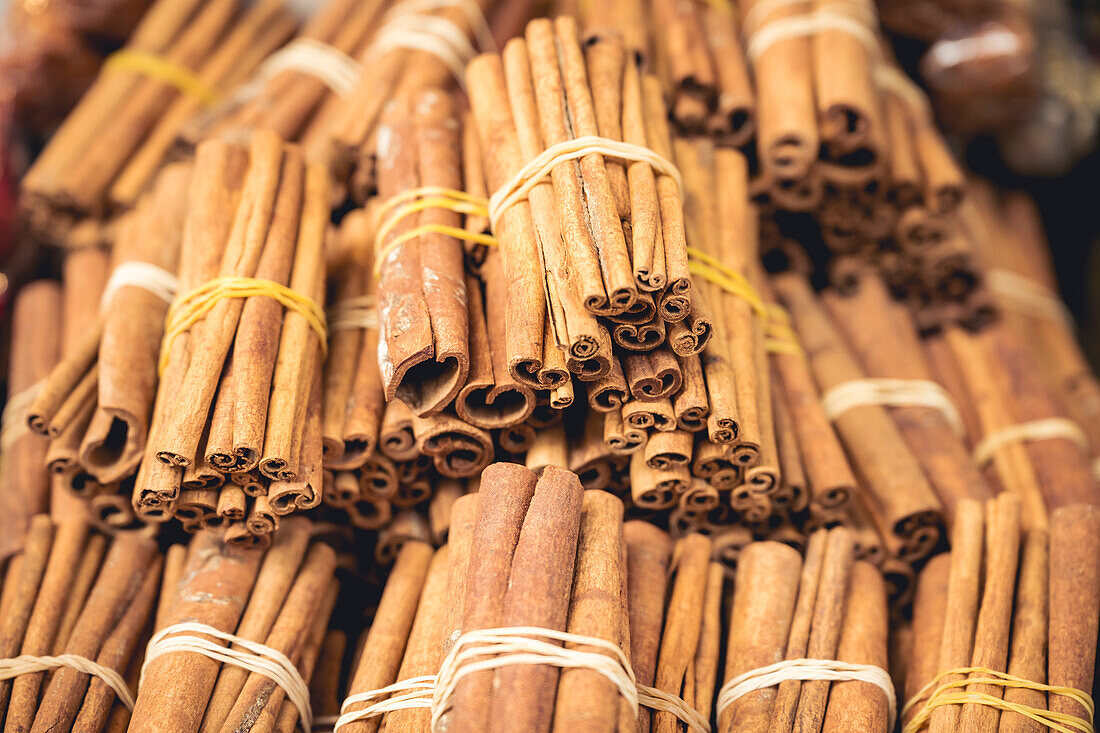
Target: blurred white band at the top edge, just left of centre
411,26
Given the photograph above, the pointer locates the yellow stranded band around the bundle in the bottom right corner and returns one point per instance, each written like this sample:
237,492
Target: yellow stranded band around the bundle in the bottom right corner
941,697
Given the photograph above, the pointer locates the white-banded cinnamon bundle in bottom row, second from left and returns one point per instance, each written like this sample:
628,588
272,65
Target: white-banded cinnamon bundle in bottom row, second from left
281,598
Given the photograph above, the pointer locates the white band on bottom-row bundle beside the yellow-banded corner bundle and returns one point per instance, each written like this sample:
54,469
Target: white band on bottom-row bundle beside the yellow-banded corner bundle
809,670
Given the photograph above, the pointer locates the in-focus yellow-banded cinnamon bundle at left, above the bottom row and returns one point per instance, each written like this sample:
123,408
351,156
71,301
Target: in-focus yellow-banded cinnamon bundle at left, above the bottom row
249,364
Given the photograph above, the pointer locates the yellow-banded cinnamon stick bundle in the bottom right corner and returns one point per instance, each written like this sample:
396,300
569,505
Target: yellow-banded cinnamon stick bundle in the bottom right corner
1005,626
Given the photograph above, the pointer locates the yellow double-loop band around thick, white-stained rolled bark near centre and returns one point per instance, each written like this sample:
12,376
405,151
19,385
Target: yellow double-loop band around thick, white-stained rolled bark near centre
415,201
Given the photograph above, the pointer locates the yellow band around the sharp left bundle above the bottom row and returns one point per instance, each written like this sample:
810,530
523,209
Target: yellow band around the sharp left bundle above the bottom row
191,309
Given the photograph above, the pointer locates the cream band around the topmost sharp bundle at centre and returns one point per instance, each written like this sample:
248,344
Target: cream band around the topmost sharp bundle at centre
540,168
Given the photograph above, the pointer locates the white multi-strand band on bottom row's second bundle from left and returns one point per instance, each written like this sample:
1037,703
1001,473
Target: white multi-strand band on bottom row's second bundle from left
246,654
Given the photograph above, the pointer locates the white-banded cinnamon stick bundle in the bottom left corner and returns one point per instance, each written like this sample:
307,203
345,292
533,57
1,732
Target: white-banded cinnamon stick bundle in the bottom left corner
72,597
